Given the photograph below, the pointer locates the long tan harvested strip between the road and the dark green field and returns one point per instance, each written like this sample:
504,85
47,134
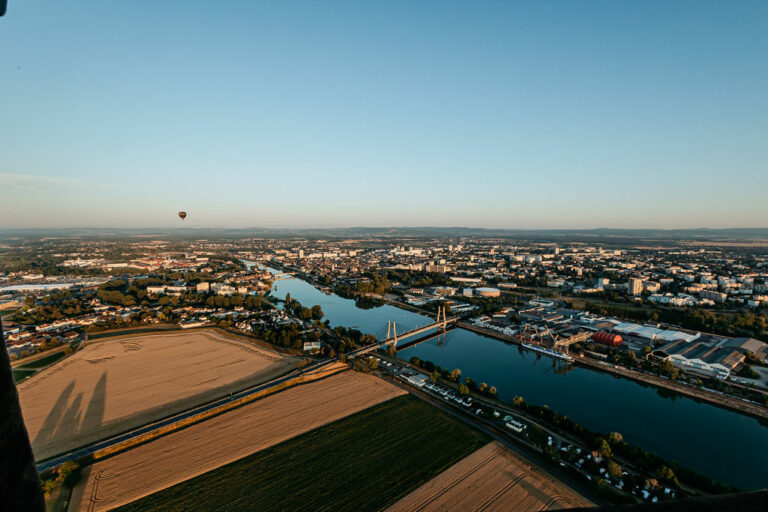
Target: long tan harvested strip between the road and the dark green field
226,438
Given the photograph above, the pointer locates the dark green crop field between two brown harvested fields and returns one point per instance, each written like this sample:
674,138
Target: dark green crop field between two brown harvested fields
366,461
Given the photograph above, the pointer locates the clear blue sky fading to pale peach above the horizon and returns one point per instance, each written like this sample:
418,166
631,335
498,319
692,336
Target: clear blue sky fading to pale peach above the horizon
487,114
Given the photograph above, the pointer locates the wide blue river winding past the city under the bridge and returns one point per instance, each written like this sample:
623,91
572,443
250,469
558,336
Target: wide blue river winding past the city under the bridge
722,444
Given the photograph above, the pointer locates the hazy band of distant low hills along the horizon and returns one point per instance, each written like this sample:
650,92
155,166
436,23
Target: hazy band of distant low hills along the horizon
599,234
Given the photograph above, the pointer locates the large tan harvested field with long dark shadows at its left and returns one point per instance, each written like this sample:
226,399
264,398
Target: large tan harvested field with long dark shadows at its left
117,384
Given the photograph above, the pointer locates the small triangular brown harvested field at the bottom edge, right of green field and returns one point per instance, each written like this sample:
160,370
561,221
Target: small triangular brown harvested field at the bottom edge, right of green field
492,478
